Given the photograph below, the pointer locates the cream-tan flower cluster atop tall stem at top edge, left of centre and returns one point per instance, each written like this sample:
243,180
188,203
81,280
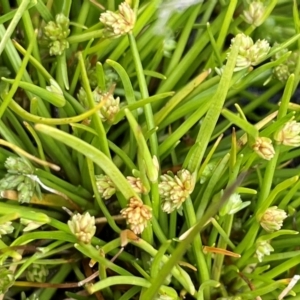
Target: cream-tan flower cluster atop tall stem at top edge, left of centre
118,24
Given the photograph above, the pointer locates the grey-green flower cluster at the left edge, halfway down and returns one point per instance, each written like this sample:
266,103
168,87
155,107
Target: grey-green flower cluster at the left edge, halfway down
18,177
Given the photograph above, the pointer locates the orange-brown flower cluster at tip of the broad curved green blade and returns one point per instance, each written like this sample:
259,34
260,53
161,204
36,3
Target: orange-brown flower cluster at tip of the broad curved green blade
137,215
